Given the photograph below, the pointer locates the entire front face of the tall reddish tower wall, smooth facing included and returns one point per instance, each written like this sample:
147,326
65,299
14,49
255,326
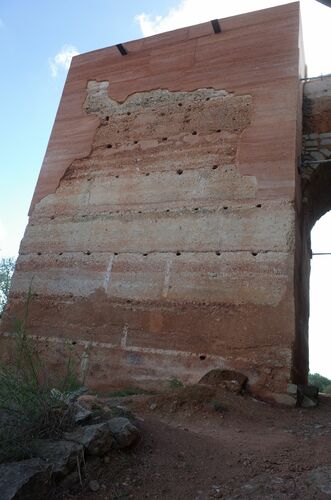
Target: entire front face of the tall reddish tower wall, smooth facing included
162,230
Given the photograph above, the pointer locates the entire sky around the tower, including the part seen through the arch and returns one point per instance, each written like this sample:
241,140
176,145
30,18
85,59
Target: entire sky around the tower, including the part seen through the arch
38,39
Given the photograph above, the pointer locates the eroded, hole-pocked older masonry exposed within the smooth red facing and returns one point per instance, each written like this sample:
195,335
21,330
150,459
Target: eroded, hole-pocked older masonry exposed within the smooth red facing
158,222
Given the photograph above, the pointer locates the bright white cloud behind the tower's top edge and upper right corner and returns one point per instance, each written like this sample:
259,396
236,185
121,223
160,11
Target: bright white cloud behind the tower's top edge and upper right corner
316,20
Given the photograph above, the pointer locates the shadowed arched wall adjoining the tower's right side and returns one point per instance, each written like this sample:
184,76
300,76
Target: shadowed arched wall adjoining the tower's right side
316,192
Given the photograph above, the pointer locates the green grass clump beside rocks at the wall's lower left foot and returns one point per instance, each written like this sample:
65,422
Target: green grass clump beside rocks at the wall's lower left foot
33,403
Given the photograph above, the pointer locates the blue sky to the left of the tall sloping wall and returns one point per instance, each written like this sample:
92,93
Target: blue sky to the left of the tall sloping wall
31,34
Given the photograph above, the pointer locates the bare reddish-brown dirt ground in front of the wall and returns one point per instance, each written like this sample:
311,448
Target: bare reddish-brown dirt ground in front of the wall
200,445
